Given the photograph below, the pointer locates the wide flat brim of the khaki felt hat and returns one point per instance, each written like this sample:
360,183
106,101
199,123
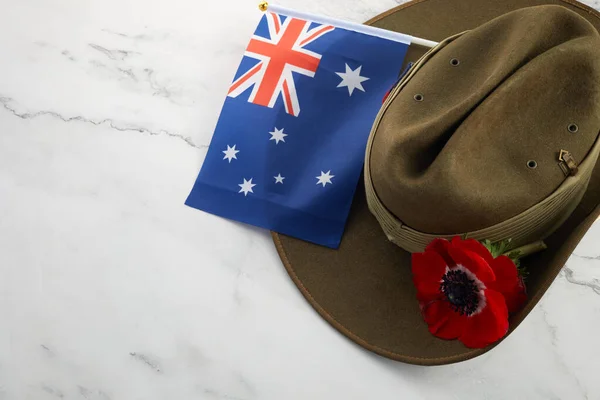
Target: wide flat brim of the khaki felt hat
364,288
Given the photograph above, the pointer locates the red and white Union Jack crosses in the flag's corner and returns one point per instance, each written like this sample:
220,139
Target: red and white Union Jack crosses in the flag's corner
282,53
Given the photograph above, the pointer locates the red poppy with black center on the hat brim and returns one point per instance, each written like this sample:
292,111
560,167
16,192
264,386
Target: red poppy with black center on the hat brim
464,292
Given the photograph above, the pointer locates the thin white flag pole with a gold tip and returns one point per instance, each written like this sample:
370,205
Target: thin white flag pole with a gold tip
371,30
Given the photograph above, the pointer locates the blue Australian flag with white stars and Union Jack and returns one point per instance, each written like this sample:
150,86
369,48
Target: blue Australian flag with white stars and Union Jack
289,145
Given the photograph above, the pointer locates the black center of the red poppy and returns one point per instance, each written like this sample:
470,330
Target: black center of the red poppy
461,291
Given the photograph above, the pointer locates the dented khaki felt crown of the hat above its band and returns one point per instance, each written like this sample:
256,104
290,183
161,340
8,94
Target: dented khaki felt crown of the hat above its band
495,101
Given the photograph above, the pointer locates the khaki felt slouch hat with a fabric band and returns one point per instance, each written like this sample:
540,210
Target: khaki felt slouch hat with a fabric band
493,134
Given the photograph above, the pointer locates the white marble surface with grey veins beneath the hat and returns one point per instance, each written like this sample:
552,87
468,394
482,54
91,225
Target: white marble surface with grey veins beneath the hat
110,288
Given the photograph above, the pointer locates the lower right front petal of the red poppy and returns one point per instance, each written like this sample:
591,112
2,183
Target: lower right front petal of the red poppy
489,325
